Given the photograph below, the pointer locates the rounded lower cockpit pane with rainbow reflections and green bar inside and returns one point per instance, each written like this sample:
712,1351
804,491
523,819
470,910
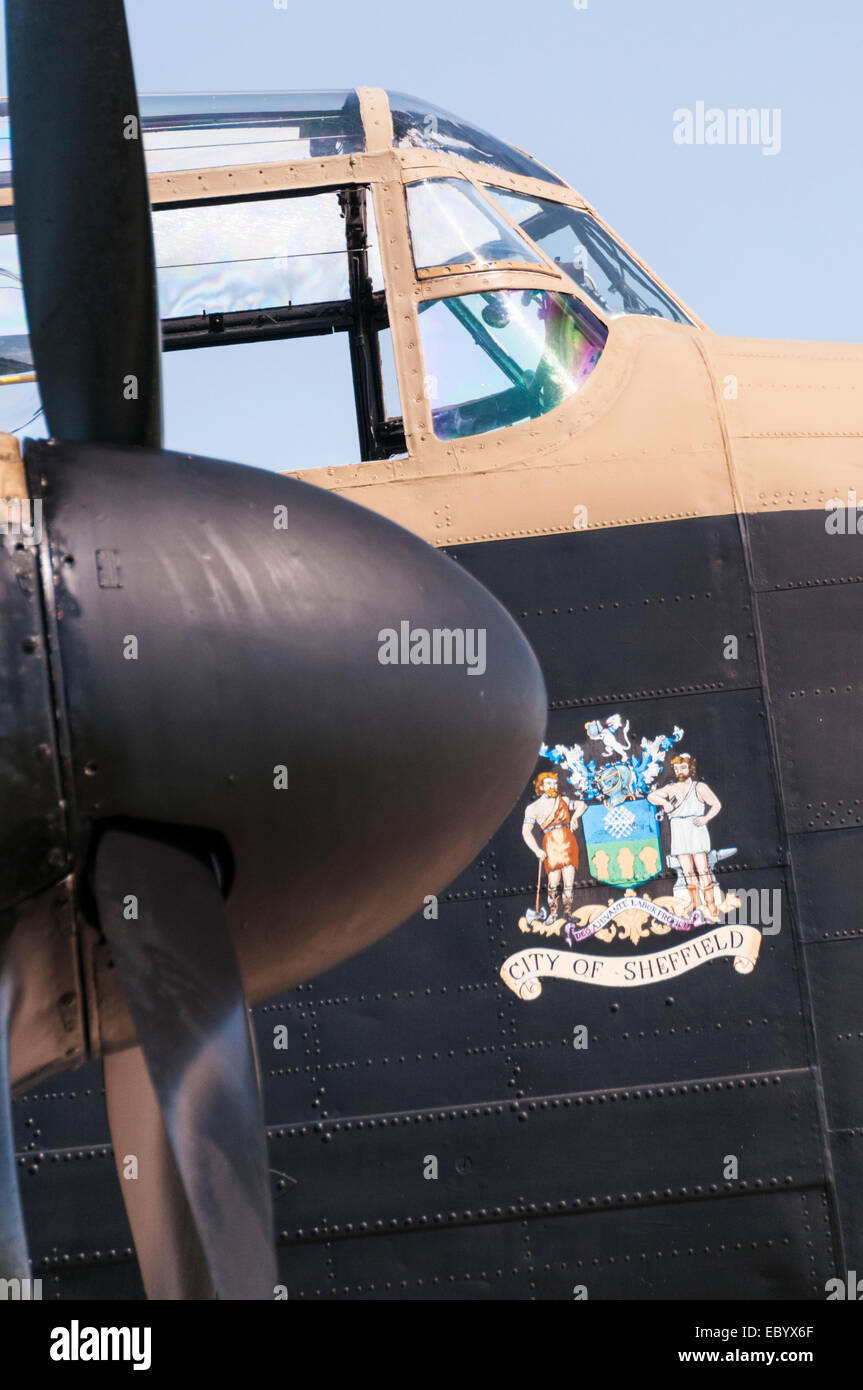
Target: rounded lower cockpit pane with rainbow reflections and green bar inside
498,358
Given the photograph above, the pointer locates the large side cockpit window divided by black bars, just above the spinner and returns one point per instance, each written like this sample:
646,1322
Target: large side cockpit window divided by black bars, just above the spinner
290,291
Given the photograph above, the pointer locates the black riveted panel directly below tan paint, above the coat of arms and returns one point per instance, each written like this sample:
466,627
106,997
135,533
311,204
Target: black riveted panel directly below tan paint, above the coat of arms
641,608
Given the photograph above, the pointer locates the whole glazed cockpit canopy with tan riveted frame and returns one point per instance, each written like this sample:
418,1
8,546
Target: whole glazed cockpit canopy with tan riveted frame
272,213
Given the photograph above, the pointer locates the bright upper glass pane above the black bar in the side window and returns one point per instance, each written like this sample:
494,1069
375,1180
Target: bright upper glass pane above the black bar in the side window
252,255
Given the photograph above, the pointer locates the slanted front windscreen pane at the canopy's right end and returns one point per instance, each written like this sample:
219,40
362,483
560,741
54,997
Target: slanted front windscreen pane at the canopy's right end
590,256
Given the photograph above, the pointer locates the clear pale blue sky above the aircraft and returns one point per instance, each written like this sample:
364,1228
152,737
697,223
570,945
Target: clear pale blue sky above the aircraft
758,245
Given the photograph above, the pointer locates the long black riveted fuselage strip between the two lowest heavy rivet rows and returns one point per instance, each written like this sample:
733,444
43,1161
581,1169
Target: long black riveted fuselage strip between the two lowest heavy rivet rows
633,1146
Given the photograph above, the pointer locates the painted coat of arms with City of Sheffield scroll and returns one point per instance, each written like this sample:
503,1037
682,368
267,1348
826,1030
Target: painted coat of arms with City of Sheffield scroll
618,796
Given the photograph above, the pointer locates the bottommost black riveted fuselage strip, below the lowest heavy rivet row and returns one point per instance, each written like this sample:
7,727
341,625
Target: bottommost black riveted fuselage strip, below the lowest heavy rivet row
768,1248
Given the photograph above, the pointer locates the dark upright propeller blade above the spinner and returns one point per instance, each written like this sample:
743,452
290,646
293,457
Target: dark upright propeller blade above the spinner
83,215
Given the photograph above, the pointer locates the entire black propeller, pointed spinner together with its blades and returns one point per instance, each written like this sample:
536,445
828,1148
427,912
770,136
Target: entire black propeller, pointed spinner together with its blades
245,793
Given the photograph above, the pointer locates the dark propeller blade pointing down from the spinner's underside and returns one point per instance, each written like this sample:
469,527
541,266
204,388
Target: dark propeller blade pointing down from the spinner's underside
162,913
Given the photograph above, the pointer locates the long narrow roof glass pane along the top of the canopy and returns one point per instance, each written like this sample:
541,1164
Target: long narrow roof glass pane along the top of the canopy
183,133
